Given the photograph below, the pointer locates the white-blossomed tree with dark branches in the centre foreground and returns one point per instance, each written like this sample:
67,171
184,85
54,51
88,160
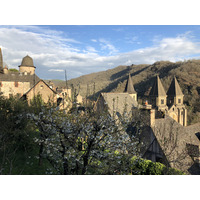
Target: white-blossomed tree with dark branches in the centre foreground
83,142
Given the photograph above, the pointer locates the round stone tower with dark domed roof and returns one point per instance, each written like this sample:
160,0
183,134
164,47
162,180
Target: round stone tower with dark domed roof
27,65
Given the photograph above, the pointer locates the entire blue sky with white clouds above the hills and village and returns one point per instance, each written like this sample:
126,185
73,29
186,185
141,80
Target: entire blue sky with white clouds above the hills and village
82,49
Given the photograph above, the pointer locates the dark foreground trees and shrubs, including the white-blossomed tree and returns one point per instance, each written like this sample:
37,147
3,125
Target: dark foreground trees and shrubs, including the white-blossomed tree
52,142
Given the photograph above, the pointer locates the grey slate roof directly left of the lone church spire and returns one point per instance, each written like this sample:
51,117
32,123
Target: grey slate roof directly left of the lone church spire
119,102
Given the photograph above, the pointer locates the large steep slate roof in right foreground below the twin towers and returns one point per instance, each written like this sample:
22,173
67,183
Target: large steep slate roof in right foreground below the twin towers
174,141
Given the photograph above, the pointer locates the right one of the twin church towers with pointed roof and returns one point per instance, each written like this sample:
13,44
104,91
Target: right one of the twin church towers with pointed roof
177,109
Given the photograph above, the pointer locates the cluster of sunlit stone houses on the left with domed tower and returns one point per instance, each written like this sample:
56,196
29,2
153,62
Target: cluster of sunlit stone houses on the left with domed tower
26,84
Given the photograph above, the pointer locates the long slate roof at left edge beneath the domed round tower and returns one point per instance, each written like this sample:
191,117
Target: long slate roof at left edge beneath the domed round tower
20,77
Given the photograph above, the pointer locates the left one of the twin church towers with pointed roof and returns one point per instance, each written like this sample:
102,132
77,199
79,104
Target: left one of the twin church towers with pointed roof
157,95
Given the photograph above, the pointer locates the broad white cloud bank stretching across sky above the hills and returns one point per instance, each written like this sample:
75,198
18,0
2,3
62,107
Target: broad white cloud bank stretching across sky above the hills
52,52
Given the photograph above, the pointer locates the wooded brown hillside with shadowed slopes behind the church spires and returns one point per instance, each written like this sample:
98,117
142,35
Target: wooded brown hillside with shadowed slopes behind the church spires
114,80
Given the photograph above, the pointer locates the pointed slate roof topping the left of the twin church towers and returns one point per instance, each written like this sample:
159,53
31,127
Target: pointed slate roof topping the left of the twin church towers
157,89
